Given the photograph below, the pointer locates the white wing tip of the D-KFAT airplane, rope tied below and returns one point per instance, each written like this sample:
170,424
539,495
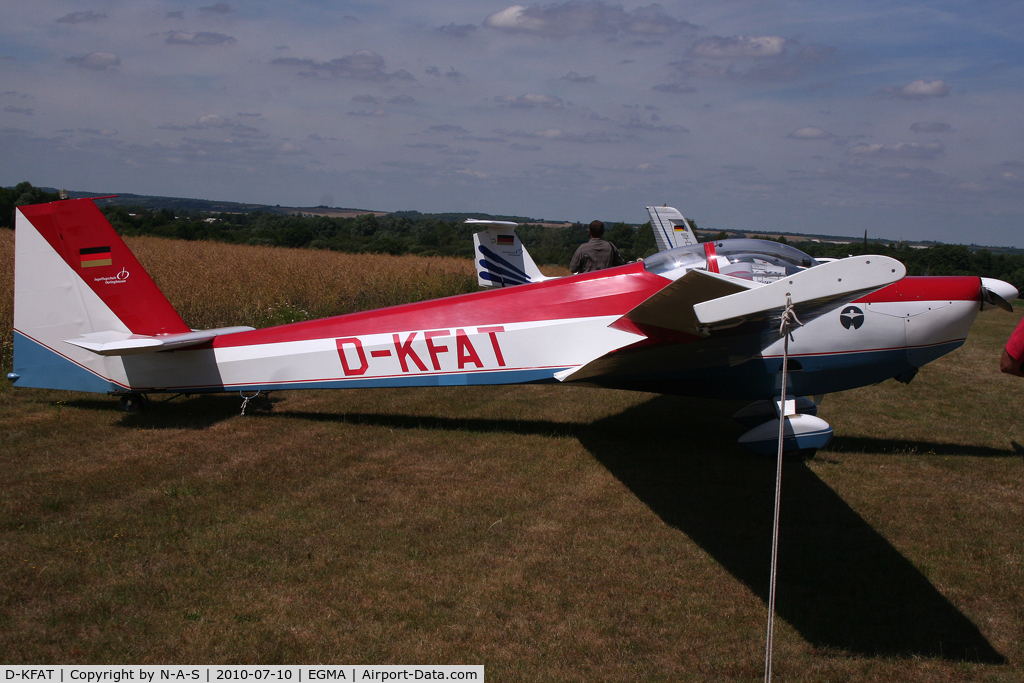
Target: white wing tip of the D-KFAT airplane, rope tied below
822,285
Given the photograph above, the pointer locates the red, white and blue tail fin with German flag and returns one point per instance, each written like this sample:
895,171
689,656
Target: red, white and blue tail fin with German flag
75,278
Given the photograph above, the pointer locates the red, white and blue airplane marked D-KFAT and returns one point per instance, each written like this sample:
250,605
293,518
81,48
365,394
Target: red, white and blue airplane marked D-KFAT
697,320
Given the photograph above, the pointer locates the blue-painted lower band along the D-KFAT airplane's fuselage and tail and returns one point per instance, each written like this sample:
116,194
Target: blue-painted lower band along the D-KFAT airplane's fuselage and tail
39,367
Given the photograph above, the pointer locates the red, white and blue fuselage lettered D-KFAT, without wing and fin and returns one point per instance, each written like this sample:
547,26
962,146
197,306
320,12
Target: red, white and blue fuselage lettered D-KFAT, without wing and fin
531,333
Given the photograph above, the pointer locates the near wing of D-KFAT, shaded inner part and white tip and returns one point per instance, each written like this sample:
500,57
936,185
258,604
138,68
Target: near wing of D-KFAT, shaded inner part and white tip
703,305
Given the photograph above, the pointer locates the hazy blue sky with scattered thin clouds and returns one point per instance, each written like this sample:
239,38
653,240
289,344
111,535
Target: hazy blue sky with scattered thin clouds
901,118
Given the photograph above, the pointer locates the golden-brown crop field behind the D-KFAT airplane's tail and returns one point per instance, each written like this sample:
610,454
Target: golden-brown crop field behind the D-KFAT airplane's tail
215,285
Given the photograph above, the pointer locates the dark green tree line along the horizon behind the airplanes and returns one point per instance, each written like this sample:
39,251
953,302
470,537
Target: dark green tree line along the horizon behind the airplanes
448,235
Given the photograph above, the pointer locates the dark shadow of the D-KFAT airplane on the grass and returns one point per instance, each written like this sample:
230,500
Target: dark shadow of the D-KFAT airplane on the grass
841,584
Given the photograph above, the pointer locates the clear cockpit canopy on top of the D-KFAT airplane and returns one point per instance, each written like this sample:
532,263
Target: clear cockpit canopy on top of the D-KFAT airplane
756,261
